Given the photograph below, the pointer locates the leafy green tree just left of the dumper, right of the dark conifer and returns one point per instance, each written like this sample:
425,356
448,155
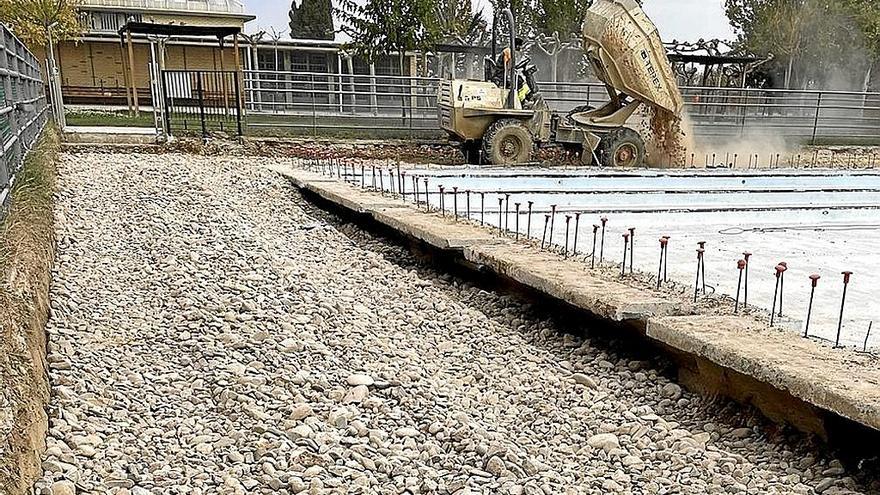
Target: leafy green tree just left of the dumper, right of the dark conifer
380,27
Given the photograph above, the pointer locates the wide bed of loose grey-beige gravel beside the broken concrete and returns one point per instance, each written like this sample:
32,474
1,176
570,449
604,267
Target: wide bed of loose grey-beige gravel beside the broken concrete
212,332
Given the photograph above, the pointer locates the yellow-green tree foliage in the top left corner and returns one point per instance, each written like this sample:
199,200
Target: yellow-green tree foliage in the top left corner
32,20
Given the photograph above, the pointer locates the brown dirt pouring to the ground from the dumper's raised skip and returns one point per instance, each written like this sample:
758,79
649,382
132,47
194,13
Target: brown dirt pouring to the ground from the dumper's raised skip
670,139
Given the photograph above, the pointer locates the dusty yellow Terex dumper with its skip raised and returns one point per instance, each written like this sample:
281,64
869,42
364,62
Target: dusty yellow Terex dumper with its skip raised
502,119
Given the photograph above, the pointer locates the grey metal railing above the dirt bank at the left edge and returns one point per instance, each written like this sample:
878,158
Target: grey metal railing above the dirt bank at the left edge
22,108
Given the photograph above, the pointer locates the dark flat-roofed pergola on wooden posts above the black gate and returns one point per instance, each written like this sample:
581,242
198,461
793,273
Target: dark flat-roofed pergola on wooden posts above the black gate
167,31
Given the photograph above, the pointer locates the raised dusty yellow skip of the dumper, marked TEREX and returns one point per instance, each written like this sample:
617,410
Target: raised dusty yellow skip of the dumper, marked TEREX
627,55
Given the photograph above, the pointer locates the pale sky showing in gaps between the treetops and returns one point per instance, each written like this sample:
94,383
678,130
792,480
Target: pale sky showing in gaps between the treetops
682,20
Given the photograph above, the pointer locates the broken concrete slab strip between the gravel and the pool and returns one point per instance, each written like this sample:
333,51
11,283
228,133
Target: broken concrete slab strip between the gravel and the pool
791,379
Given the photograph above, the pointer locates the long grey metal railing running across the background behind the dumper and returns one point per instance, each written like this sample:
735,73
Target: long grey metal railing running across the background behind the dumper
312,101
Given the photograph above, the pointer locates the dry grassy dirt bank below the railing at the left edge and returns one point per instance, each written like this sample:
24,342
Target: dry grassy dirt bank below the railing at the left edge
26,256
